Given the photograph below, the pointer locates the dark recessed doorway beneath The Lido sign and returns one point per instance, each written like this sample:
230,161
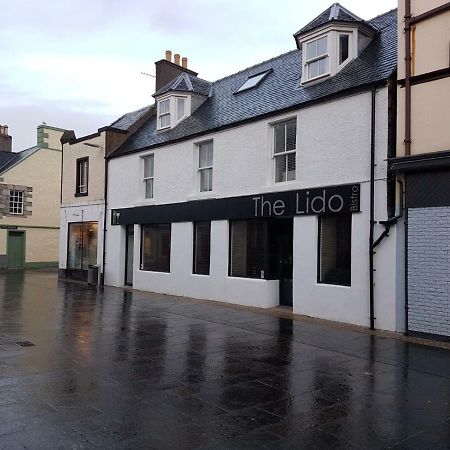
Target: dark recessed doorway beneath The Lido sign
281,257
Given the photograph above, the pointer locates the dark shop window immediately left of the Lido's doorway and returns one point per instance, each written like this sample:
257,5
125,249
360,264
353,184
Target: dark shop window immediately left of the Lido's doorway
248,248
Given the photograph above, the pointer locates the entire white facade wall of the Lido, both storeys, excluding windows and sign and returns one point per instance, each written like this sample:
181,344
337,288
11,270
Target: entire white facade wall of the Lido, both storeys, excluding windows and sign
333,147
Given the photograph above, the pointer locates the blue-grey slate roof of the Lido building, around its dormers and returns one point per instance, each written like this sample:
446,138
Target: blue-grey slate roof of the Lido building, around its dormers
278,91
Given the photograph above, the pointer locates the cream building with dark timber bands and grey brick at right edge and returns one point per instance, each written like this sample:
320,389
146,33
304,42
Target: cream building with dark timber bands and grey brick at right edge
422,162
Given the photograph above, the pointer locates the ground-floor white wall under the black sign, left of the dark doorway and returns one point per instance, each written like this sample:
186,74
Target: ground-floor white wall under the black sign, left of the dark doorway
181,281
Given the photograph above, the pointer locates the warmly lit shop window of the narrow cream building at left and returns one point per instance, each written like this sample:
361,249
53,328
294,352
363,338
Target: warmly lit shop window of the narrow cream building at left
82,245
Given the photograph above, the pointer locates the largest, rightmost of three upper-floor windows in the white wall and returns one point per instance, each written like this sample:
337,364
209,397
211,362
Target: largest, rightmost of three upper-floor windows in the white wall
285,144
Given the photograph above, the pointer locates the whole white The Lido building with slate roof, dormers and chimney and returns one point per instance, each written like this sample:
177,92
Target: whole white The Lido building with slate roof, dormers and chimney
267,187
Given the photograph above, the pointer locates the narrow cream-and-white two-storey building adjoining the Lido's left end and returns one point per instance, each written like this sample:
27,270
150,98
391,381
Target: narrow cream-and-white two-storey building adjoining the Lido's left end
83,194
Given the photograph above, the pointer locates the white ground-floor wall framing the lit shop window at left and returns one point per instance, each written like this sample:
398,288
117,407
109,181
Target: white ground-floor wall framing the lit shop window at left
89,212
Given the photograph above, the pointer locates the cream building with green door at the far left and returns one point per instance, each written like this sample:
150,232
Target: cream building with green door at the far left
29,200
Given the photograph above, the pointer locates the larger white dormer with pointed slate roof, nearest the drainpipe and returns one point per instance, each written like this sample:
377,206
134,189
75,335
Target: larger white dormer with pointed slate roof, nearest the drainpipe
330,42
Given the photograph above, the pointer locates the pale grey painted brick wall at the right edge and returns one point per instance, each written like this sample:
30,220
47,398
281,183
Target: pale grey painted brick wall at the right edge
429,270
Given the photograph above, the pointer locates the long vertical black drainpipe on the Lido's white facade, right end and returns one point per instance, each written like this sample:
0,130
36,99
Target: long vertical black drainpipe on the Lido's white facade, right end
372,210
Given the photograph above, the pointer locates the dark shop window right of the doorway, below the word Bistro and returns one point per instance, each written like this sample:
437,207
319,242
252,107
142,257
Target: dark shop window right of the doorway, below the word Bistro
335,244
